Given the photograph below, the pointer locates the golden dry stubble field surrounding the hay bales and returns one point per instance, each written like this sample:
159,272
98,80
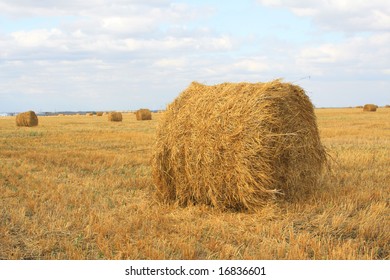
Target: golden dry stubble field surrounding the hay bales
81,188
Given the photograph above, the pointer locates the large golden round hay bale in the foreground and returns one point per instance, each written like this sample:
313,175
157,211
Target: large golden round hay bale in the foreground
237,145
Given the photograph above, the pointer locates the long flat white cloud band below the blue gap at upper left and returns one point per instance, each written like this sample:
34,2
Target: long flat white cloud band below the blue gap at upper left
78,41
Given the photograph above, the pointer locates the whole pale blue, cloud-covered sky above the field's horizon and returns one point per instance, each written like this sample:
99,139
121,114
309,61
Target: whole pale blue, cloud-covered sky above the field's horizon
127,54
